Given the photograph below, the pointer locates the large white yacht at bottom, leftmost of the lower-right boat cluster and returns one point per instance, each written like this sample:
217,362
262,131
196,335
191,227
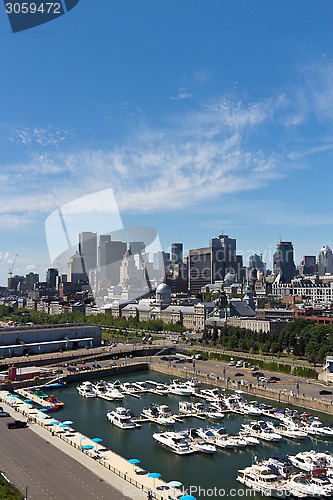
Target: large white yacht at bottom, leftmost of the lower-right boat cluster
262,479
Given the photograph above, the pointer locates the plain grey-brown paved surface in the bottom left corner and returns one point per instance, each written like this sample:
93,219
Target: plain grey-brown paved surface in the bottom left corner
29,460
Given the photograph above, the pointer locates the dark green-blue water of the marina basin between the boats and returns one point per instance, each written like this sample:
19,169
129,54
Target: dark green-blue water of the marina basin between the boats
208,471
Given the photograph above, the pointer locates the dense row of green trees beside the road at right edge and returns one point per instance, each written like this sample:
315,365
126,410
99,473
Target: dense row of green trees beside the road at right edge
302,338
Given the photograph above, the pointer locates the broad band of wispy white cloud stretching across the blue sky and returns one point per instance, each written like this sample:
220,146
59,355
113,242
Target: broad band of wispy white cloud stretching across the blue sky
221,147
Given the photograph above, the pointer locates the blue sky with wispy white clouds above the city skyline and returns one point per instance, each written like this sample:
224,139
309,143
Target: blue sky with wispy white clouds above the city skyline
201,116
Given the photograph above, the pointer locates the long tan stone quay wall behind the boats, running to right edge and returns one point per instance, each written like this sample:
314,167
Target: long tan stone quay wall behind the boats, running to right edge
267,393
